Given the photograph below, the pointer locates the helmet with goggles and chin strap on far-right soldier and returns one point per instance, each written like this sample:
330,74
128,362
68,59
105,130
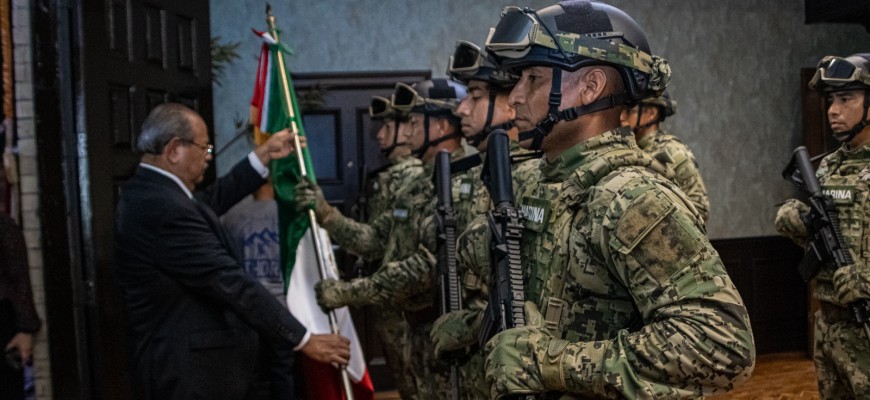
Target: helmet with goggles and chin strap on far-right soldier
836,74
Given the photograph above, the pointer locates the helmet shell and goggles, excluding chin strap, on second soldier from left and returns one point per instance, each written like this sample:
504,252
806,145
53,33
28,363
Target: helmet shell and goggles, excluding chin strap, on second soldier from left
431,97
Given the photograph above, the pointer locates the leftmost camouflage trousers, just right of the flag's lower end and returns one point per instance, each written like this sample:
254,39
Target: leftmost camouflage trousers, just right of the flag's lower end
395,337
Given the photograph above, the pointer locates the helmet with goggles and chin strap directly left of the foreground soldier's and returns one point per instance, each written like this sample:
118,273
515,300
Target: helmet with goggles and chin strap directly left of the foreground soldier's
468,64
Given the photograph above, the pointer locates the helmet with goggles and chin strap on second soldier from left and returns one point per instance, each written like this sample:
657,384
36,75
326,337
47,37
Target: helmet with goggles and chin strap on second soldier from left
438,98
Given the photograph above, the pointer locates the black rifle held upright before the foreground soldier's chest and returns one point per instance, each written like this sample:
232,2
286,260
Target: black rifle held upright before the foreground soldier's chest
506,296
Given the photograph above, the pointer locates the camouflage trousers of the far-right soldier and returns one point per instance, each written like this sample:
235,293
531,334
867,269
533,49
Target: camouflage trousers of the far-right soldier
842,356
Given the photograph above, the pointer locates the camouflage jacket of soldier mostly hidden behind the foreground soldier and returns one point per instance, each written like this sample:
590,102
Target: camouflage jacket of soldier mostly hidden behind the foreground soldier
670,150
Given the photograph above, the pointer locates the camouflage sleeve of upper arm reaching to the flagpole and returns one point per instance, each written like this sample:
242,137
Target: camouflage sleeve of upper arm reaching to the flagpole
365,240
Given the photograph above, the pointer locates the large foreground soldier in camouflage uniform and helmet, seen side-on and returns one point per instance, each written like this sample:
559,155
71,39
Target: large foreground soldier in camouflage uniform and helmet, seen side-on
634,301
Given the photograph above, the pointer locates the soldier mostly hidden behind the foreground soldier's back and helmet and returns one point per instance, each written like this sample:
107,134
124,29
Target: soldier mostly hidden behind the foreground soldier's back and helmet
645,119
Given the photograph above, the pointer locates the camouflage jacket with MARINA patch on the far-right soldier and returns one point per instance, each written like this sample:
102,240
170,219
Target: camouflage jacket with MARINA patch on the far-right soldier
845,176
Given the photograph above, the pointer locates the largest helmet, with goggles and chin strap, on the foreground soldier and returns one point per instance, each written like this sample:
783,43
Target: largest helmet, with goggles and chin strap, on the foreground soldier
575,34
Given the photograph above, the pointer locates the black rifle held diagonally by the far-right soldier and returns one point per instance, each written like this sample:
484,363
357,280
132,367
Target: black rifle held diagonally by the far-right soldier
826,239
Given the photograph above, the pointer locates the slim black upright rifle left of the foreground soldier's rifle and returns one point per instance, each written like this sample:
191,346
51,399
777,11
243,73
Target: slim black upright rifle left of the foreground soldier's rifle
445,217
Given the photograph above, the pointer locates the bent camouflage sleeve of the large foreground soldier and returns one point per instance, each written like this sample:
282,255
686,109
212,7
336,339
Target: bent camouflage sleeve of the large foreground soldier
696,339
